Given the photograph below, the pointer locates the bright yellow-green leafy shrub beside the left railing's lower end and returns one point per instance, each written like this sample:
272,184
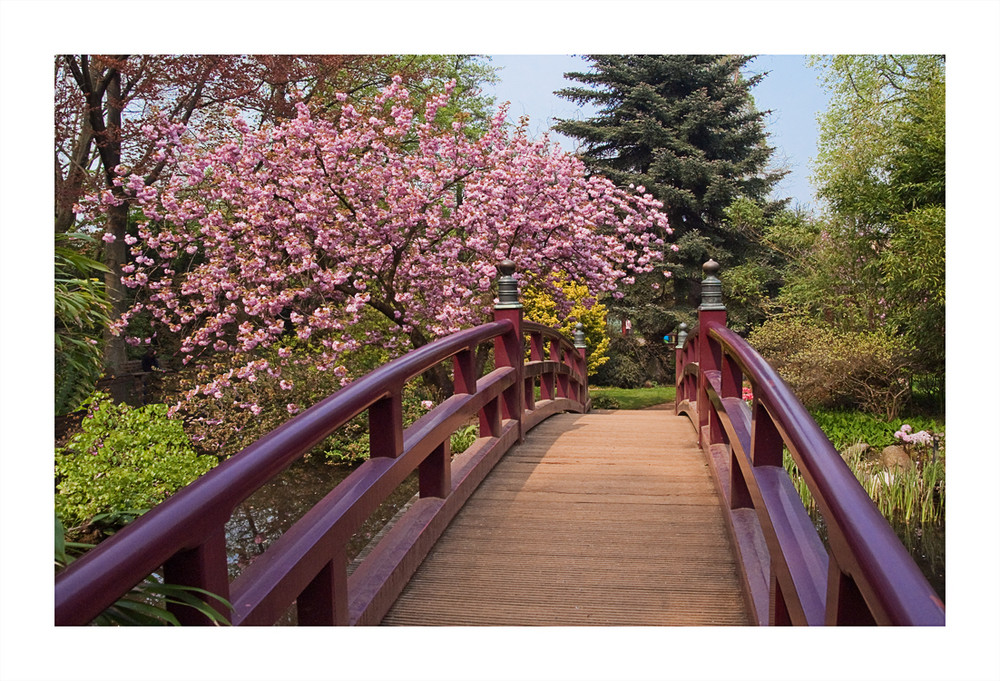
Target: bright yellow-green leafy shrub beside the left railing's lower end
123,461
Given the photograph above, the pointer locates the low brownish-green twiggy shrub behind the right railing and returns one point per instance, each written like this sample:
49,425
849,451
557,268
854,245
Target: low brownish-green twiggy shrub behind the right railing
828,368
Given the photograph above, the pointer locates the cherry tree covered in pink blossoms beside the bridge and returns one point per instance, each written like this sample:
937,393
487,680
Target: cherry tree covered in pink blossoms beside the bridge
318,225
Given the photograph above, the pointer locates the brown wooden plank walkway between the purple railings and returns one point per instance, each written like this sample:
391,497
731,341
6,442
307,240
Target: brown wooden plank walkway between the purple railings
596,519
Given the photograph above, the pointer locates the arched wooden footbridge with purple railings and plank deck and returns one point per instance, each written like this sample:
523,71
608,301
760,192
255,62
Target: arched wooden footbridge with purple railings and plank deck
554,516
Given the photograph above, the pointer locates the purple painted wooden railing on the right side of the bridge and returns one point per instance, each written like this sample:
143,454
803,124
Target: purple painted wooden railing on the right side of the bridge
867,576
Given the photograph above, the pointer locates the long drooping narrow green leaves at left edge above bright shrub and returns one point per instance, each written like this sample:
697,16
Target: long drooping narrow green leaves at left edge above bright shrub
81,316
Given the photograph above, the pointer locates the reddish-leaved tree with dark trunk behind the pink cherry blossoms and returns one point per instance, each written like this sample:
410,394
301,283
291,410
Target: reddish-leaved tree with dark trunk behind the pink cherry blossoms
103,103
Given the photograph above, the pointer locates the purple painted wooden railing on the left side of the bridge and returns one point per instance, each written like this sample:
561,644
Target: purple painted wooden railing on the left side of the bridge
308,564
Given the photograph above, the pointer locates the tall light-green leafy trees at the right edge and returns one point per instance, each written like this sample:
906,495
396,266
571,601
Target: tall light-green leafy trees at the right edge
881,168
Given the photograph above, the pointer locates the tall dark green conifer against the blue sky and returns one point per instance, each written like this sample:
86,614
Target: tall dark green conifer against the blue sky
686,128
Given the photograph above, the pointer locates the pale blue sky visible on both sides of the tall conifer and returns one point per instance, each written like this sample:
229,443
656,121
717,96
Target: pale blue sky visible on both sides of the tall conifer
791,91
